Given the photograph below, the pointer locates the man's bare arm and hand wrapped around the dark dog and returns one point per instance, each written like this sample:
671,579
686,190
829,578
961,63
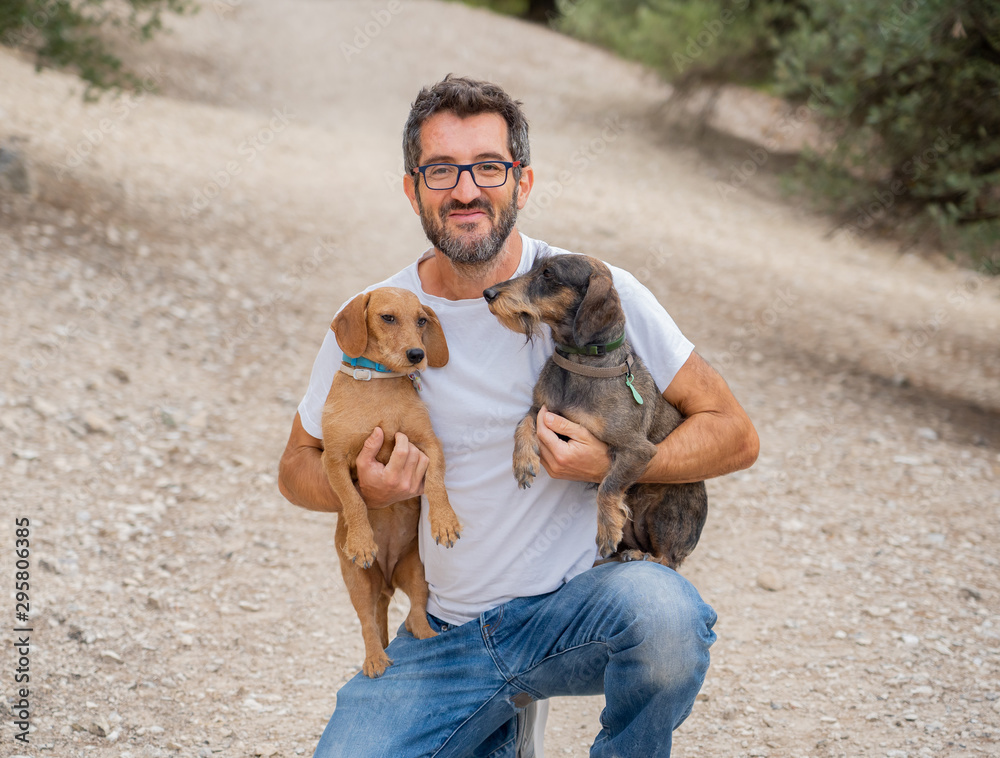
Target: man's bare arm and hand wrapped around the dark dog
715,438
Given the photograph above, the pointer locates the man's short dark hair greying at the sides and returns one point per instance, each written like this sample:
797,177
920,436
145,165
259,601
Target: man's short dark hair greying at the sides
465,97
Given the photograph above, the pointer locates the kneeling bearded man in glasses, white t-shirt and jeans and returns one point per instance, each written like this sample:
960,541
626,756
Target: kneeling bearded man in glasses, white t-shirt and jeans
521,613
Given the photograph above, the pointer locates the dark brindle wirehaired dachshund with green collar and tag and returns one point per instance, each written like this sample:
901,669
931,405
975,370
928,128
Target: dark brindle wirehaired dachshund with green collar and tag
596,380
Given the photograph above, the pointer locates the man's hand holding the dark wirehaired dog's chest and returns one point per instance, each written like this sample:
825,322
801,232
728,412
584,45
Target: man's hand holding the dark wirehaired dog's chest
581,458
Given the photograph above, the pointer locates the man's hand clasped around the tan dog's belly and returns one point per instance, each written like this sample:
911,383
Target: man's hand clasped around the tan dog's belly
399,479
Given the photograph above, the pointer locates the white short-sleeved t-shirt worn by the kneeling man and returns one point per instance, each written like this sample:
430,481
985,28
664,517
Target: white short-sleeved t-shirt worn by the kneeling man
515,543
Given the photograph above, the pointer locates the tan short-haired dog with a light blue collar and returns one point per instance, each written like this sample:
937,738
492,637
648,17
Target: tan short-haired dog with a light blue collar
378,548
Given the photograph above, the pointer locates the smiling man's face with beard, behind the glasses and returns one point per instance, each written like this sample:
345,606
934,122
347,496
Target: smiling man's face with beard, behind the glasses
468,224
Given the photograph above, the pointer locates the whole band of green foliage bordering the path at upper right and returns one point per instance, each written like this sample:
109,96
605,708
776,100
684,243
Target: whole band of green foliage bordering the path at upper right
910,89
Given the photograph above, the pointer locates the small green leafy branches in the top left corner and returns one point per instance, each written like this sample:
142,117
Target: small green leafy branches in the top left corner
65,34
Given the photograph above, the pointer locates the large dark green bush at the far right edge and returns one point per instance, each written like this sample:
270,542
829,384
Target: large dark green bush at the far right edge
913,93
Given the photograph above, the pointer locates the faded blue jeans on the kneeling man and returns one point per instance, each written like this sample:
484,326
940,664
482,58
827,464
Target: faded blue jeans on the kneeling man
638,632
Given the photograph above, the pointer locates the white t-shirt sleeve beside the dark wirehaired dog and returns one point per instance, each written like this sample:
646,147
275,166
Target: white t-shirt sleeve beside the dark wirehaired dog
651,330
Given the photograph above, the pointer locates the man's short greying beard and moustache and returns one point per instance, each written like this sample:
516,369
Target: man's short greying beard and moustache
472,254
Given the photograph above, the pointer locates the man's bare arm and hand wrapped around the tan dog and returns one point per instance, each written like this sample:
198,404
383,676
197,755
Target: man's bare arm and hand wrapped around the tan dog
303,481
